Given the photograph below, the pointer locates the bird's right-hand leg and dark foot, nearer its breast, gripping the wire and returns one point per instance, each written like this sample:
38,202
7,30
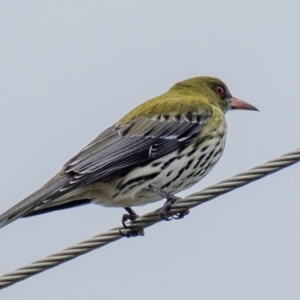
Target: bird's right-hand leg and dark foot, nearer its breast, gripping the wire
171,198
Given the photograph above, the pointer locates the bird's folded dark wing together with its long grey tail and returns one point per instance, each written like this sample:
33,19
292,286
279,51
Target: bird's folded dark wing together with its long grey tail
119,148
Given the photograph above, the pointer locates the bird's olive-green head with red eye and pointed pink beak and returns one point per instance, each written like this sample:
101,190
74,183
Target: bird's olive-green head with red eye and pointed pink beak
216,92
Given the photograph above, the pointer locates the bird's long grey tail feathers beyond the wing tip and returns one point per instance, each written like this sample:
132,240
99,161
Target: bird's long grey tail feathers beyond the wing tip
27,205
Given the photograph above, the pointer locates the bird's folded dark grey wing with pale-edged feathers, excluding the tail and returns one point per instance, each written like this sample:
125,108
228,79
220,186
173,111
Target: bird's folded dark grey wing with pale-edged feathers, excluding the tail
122,147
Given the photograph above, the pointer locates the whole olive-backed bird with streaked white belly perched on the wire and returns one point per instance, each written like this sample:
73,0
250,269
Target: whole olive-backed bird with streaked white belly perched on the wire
163,146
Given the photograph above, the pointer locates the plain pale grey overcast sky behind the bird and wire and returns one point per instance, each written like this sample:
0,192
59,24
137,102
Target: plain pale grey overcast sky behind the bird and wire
70,69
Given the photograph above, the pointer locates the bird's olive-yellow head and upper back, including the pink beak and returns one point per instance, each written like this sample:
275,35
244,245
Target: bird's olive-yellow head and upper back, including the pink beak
197,94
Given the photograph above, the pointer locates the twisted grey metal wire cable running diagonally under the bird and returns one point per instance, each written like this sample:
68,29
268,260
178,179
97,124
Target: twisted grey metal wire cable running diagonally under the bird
151,218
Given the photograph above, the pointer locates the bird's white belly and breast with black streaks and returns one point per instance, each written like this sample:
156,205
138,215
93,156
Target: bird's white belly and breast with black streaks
172,173
